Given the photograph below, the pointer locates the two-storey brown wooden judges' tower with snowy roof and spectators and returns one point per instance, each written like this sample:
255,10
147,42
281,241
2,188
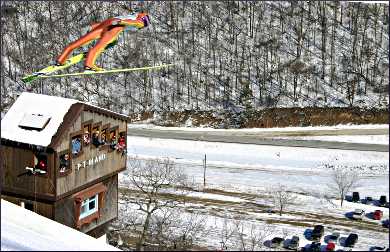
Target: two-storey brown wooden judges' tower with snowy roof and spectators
61,157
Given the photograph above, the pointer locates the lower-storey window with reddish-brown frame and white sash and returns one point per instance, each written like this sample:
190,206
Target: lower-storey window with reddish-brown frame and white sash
89,204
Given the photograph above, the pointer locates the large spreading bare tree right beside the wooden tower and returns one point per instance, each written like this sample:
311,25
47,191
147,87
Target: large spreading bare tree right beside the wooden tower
151,177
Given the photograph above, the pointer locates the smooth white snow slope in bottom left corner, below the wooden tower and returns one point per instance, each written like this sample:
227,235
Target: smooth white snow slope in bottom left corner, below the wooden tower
22,229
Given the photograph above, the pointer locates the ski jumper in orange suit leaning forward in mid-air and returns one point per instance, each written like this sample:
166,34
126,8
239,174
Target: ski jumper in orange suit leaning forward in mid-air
107,32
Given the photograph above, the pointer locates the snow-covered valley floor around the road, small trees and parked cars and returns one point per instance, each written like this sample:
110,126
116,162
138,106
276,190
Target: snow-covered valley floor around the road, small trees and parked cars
253,169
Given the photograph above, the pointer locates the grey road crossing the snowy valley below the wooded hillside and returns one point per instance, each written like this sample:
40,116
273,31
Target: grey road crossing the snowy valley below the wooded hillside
265,138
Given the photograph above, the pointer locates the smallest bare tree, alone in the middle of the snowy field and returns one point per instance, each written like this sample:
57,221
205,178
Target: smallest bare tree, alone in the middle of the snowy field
281,197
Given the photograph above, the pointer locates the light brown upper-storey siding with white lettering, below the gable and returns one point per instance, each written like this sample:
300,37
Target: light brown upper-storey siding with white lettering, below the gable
112,162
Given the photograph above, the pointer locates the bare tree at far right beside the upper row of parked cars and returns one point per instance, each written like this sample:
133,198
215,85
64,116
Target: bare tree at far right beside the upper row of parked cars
344,180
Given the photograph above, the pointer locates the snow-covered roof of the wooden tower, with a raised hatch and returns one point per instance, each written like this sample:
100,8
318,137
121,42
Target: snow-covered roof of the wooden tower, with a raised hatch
37,110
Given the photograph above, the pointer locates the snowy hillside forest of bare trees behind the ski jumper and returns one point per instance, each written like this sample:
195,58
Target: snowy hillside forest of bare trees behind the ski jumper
250,55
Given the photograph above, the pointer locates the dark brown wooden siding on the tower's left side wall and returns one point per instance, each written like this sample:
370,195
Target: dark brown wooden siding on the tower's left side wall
14,163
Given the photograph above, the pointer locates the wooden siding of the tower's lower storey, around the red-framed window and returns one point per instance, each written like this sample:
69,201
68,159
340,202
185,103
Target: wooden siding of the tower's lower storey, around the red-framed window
65,212
